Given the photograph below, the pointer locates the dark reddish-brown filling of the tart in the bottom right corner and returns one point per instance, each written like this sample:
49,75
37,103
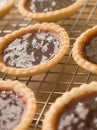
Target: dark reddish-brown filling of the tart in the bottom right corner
79,114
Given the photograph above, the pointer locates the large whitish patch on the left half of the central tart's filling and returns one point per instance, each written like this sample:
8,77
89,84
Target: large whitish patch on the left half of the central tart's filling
19,51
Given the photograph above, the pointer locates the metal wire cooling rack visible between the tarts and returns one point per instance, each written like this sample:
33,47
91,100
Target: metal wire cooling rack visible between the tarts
66,74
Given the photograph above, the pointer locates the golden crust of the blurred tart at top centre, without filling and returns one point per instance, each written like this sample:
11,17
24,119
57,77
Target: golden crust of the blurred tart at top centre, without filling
53,15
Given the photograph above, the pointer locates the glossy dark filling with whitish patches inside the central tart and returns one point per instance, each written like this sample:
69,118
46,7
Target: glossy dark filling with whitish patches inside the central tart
31,49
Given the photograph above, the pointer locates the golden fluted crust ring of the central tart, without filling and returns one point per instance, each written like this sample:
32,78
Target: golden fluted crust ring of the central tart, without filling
40,68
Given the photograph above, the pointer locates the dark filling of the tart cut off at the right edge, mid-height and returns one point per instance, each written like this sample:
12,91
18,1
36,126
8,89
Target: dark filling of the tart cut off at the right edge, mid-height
90,50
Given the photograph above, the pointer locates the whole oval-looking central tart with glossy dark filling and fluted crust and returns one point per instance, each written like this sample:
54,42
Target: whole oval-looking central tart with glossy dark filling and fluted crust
33,49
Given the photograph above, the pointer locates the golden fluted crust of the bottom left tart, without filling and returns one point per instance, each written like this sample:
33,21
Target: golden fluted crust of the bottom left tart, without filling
28,96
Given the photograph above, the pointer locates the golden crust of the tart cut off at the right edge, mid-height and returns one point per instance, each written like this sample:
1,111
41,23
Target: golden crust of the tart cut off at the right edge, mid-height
77,50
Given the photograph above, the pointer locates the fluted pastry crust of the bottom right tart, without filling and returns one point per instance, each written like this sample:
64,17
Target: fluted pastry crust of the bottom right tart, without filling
52,115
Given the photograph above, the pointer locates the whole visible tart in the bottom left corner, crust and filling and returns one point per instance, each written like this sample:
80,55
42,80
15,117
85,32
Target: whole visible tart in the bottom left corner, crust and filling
17,105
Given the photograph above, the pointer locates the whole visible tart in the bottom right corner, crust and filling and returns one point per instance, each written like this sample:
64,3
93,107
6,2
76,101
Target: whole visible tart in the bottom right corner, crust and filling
74,110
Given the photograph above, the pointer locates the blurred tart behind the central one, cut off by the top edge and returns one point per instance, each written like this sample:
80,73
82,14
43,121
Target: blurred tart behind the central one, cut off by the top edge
49,10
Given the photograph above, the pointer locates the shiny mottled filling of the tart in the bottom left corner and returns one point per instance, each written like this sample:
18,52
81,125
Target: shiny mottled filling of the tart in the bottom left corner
11,110
